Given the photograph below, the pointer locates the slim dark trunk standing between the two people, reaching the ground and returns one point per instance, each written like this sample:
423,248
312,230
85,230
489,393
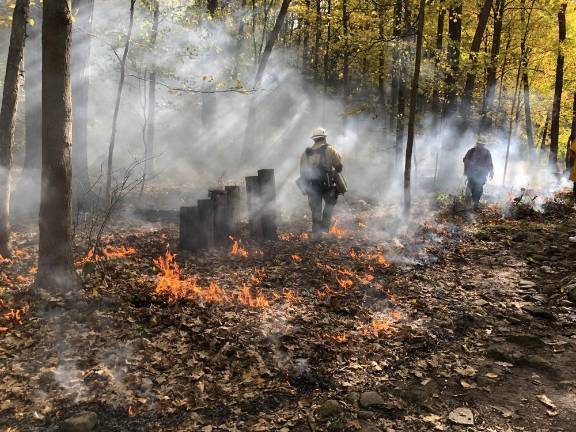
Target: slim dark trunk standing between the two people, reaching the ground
412,113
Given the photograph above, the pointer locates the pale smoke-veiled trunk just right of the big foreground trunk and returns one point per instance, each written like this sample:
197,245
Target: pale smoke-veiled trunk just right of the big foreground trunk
81,43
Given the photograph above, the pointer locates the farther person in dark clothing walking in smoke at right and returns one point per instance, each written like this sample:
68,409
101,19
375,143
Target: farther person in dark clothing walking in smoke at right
477,168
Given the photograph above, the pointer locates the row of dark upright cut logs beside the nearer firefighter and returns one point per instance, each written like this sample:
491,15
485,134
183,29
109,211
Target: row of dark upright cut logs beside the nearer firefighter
213,221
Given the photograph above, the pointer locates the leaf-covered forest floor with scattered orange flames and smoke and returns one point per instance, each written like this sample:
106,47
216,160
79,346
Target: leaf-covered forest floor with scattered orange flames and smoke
459,323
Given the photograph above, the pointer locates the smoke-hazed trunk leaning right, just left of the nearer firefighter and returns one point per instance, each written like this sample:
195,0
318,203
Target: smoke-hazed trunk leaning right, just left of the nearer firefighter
250,133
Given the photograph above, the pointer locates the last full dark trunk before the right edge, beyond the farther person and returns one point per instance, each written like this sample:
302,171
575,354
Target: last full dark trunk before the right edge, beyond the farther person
559,83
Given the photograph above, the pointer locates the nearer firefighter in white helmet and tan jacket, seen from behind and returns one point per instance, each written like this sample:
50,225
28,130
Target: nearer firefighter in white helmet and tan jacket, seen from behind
317,167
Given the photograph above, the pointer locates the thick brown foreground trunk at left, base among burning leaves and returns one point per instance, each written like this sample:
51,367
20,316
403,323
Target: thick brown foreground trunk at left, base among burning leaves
55,261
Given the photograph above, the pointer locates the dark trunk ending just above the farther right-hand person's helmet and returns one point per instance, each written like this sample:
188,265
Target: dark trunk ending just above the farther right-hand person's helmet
487,118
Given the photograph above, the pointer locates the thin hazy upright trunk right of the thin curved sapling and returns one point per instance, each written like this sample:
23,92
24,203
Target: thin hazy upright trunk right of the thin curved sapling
150,124
